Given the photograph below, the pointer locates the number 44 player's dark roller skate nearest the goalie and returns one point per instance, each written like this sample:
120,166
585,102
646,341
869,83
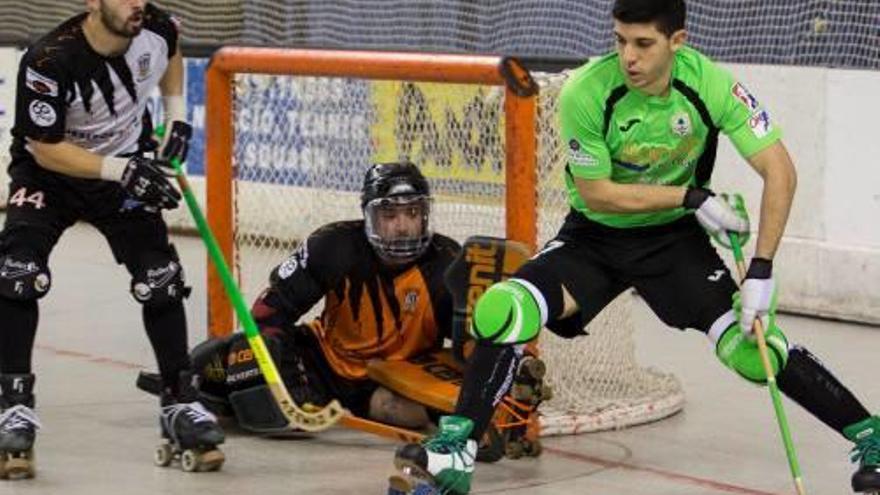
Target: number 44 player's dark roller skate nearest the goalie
190,431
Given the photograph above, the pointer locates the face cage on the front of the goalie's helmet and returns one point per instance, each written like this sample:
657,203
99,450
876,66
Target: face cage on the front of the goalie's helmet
399,247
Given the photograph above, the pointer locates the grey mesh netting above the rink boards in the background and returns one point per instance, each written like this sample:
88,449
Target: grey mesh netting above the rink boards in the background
839,33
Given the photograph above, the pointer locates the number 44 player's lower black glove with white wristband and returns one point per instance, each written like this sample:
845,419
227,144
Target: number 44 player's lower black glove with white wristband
143,179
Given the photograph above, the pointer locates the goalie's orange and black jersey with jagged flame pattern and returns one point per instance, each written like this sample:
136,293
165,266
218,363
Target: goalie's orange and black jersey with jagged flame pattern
371,310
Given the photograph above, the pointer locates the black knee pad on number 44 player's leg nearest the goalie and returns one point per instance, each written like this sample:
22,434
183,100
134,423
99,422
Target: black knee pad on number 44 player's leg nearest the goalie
160,283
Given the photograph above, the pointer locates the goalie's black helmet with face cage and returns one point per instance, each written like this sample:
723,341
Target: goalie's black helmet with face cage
396,201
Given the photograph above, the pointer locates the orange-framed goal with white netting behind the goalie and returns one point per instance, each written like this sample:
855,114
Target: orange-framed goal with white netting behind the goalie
291,134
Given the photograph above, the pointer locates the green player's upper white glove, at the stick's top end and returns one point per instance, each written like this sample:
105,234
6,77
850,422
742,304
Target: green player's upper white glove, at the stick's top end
719,214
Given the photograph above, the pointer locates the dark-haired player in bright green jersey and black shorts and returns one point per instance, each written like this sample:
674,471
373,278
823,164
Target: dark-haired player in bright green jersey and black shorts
641,129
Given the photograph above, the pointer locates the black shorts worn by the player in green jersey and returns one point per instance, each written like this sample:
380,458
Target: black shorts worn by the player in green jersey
674,267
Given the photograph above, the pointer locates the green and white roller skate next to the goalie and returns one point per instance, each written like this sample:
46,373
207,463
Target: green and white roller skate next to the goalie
442,464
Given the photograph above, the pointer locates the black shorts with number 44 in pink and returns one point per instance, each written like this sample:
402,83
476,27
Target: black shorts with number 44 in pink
43,204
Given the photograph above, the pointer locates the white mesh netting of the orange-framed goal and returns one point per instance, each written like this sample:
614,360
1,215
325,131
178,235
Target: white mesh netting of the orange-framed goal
302,145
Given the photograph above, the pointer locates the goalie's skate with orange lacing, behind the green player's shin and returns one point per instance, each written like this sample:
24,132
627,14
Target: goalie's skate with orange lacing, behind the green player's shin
514,416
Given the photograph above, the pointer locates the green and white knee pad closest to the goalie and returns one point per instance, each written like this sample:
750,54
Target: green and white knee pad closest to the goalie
509,312
